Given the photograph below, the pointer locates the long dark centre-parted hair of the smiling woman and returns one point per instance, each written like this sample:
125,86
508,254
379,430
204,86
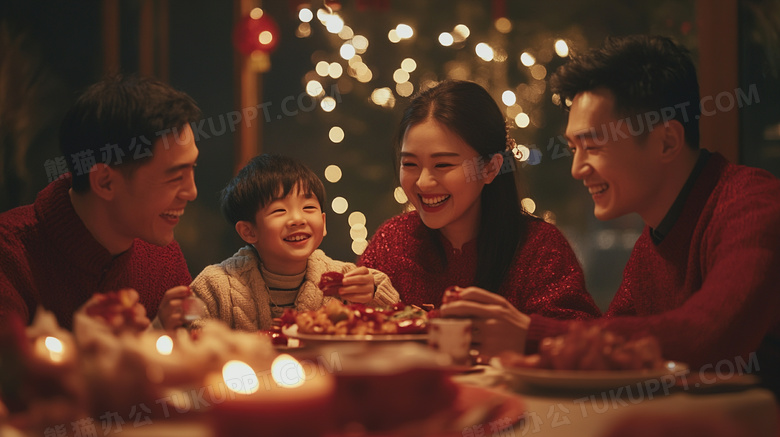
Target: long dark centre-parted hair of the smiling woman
469,111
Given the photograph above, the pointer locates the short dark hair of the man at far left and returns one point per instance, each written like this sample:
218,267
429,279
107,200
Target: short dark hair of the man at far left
117,121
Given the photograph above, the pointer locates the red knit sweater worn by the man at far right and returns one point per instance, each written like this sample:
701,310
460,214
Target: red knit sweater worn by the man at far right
709,291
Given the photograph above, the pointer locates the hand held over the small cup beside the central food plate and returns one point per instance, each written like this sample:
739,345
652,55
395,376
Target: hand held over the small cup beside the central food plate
497,324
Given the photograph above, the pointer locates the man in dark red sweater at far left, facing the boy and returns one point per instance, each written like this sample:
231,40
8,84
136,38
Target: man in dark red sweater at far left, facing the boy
108,224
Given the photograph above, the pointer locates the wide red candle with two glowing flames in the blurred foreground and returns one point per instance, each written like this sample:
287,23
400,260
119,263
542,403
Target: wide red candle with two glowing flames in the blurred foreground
289,402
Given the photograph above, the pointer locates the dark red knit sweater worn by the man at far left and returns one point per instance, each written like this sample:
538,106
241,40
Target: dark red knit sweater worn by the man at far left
49,258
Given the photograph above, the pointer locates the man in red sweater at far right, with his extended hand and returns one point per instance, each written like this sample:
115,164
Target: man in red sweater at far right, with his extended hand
703,276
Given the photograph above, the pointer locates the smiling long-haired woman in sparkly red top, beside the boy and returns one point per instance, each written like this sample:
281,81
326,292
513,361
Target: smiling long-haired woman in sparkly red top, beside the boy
468,227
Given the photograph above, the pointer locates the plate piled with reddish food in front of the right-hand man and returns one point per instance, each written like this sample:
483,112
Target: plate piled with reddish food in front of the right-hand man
590,358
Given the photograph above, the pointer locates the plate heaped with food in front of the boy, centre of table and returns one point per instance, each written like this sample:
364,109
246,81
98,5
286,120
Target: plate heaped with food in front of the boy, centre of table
341,322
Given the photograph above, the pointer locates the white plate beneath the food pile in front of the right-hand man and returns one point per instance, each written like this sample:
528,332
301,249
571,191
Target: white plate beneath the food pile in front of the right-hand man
594,379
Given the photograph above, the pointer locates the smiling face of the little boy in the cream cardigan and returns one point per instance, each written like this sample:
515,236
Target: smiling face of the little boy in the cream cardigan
286,232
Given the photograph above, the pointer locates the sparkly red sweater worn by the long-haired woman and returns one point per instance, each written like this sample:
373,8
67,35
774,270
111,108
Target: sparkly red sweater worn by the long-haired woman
544,276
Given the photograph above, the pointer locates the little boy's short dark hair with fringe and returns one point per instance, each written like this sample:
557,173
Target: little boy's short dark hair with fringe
264,179
